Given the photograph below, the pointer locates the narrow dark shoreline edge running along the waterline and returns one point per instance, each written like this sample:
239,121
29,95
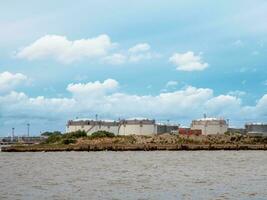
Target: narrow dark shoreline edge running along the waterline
135,147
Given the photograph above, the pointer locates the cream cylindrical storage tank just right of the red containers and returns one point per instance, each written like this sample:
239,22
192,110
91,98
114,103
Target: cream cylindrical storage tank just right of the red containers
210,126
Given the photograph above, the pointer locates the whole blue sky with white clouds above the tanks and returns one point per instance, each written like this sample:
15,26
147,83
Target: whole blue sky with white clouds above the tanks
164,60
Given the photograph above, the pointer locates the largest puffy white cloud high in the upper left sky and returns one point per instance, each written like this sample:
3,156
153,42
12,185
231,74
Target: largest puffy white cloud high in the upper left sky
64,50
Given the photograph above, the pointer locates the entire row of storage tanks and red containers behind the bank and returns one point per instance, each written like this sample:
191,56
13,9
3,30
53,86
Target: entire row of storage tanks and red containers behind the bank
142,126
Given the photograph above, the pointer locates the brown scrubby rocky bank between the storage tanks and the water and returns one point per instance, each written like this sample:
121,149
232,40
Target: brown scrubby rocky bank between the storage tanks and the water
150,143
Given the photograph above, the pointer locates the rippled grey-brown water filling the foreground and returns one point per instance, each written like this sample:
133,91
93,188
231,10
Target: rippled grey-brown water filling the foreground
134,175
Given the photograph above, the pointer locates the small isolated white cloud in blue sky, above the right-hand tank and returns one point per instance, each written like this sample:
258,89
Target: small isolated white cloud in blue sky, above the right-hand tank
188,61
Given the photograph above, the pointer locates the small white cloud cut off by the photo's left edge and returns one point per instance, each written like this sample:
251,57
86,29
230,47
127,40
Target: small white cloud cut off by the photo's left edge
9,81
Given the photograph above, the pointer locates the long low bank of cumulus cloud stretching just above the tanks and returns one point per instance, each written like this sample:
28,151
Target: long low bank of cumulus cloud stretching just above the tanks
104,98
